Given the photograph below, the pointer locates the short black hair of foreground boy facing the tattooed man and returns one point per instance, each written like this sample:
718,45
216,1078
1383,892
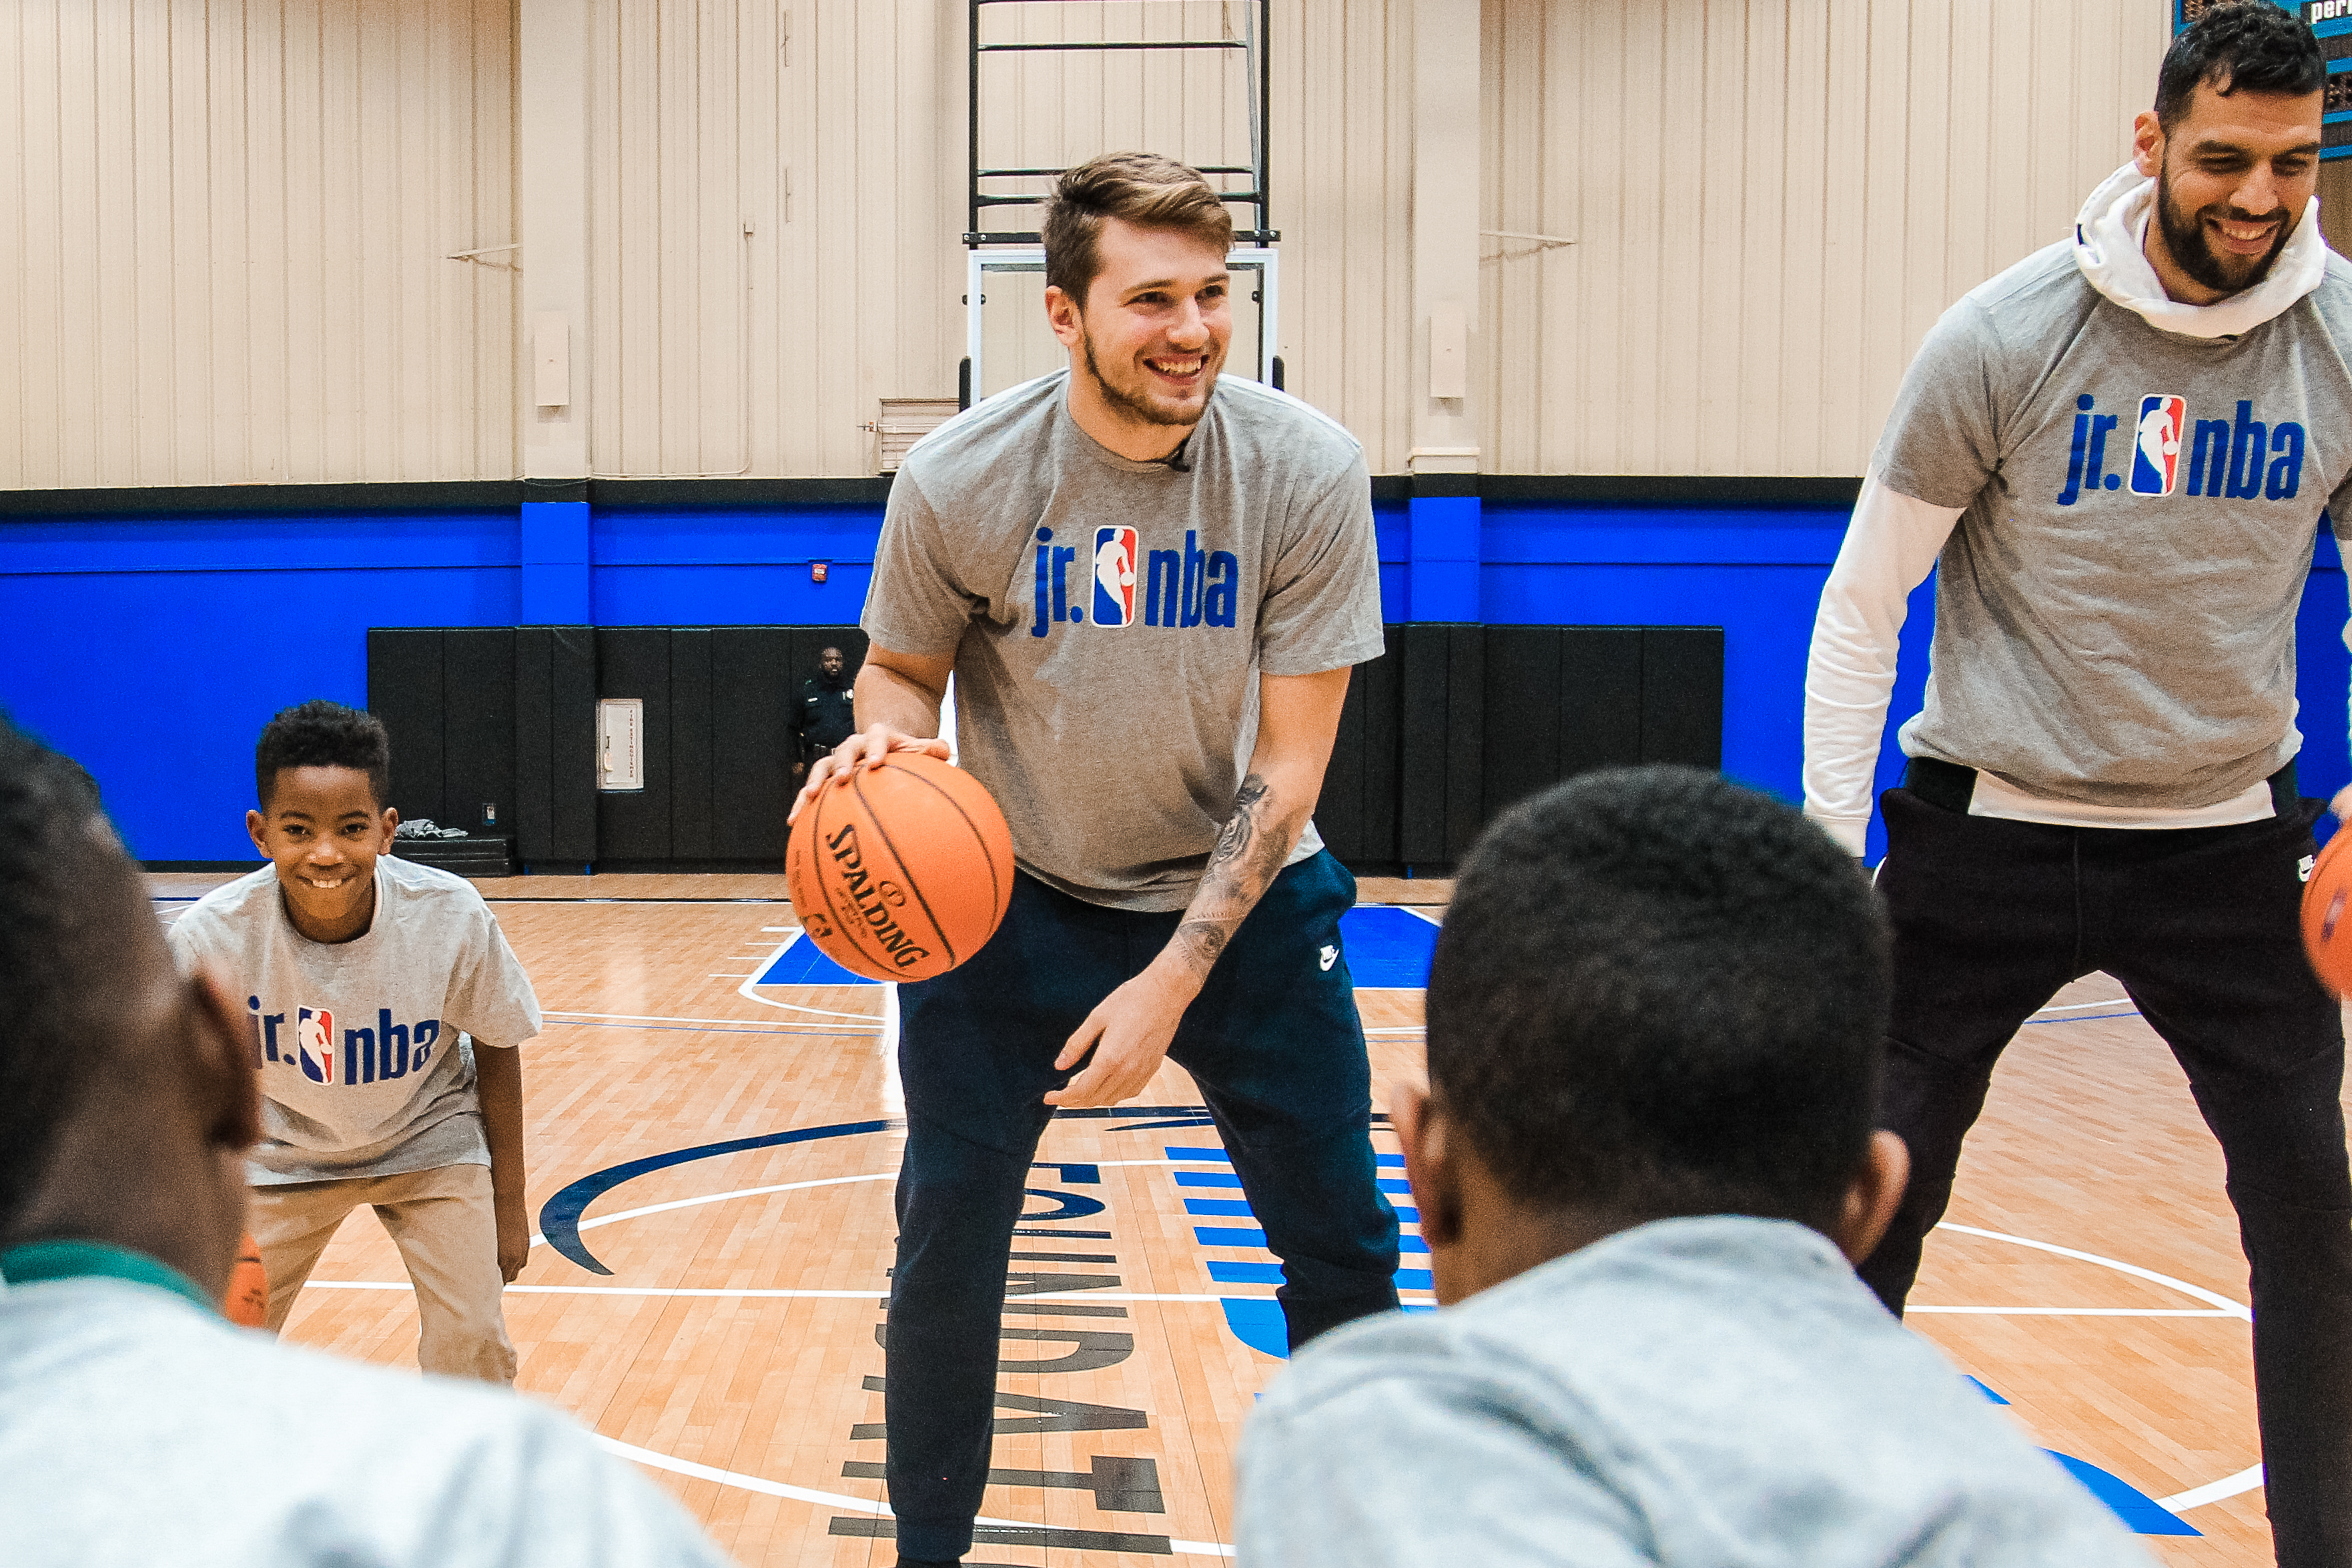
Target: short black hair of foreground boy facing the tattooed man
1659,993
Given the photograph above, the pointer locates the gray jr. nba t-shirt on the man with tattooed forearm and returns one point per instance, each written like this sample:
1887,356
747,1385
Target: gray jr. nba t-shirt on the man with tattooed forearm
1111,619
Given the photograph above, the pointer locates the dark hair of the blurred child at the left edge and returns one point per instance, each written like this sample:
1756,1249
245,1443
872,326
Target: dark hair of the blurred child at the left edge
72,918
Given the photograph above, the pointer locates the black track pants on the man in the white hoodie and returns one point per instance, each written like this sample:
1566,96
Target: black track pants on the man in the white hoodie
2200,927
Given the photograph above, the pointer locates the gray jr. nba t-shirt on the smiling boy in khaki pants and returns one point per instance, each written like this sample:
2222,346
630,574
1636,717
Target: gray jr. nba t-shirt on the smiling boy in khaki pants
359,1043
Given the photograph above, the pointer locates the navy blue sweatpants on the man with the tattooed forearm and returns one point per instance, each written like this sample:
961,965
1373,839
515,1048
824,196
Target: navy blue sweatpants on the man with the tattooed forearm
1278,1052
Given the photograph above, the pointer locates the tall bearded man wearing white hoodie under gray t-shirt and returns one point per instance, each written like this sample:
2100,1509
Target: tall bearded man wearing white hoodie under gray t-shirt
2123,450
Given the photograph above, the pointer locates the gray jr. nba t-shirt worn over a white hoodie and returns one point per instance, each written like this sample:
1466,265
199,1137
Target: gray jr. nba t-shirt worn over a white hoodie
2116,610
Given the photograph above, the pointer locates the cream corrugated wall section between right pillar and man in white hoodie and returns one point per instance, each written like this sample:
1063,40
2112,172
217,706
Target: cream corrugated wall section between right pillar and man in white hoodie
1772,201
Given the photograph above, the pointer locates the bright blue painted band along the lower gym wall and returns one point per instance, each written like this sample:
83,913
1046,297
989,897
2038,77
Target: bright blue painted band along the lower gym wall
156,648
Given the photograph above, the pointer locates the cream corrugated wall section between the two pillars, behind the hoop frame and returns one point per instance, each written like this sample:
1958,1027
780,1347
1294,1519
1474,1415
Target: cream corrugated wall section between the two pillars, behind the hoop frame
838,133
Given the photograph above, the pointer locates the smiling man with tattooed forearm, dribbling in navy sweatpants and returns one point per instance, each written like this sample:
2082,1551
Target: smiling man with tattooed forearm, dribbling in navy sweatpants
1151,587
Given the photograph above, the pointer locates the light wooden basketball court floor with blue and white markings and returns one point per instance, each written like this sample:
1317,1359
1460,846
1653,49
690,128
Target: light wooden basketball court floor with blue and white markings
714,1139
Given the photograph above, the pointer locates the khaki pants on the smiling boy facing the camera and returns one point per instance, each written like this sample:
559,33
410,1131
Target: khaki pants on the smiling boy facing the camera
448,1235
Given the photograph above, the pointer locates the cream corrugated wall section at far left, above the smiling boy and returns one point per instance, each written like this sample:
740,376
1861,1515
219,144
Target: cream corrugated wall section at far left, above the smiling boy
225,229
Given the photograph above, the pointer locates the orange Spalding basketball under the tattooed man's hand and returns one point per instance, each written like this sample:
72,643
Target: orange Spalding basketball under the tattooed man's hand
902,873
